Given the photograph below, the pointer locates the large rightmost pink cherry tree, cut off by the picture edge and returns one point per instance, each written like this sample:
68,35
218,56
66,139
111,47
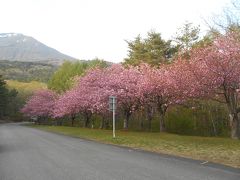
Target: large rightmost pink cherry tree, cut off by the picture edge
216,69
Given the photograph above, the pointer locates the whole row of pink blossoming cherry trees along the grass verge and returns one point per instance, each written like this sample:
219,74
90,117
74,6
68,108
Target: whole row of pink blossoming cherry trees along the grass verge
210,70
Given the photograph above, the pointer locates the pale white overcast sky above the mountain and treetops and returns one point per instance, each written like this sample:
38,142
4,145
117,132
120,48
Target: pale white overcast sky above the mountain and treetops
86,29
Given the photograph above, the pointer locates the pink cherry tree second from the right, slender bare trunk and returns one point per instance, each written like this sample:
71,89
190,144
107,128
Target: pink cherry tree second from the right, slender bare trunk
159,87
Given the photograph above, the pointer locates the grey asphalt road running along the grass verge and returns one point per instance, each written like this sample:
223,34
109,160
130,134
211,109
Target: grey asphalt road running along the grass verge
31,154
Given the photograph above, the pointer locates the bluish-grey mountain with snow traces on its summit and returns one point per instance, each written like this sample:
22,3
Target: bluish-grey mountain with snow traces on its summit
18,47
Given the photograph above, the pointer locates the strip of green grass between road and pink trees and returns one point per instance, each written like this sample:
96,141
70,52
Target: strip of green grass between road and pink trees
220,150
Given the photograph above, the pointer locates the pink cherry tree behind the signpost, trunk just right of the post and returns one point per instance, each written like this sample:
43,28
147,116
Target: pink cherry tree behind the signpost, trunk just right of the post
99,84
